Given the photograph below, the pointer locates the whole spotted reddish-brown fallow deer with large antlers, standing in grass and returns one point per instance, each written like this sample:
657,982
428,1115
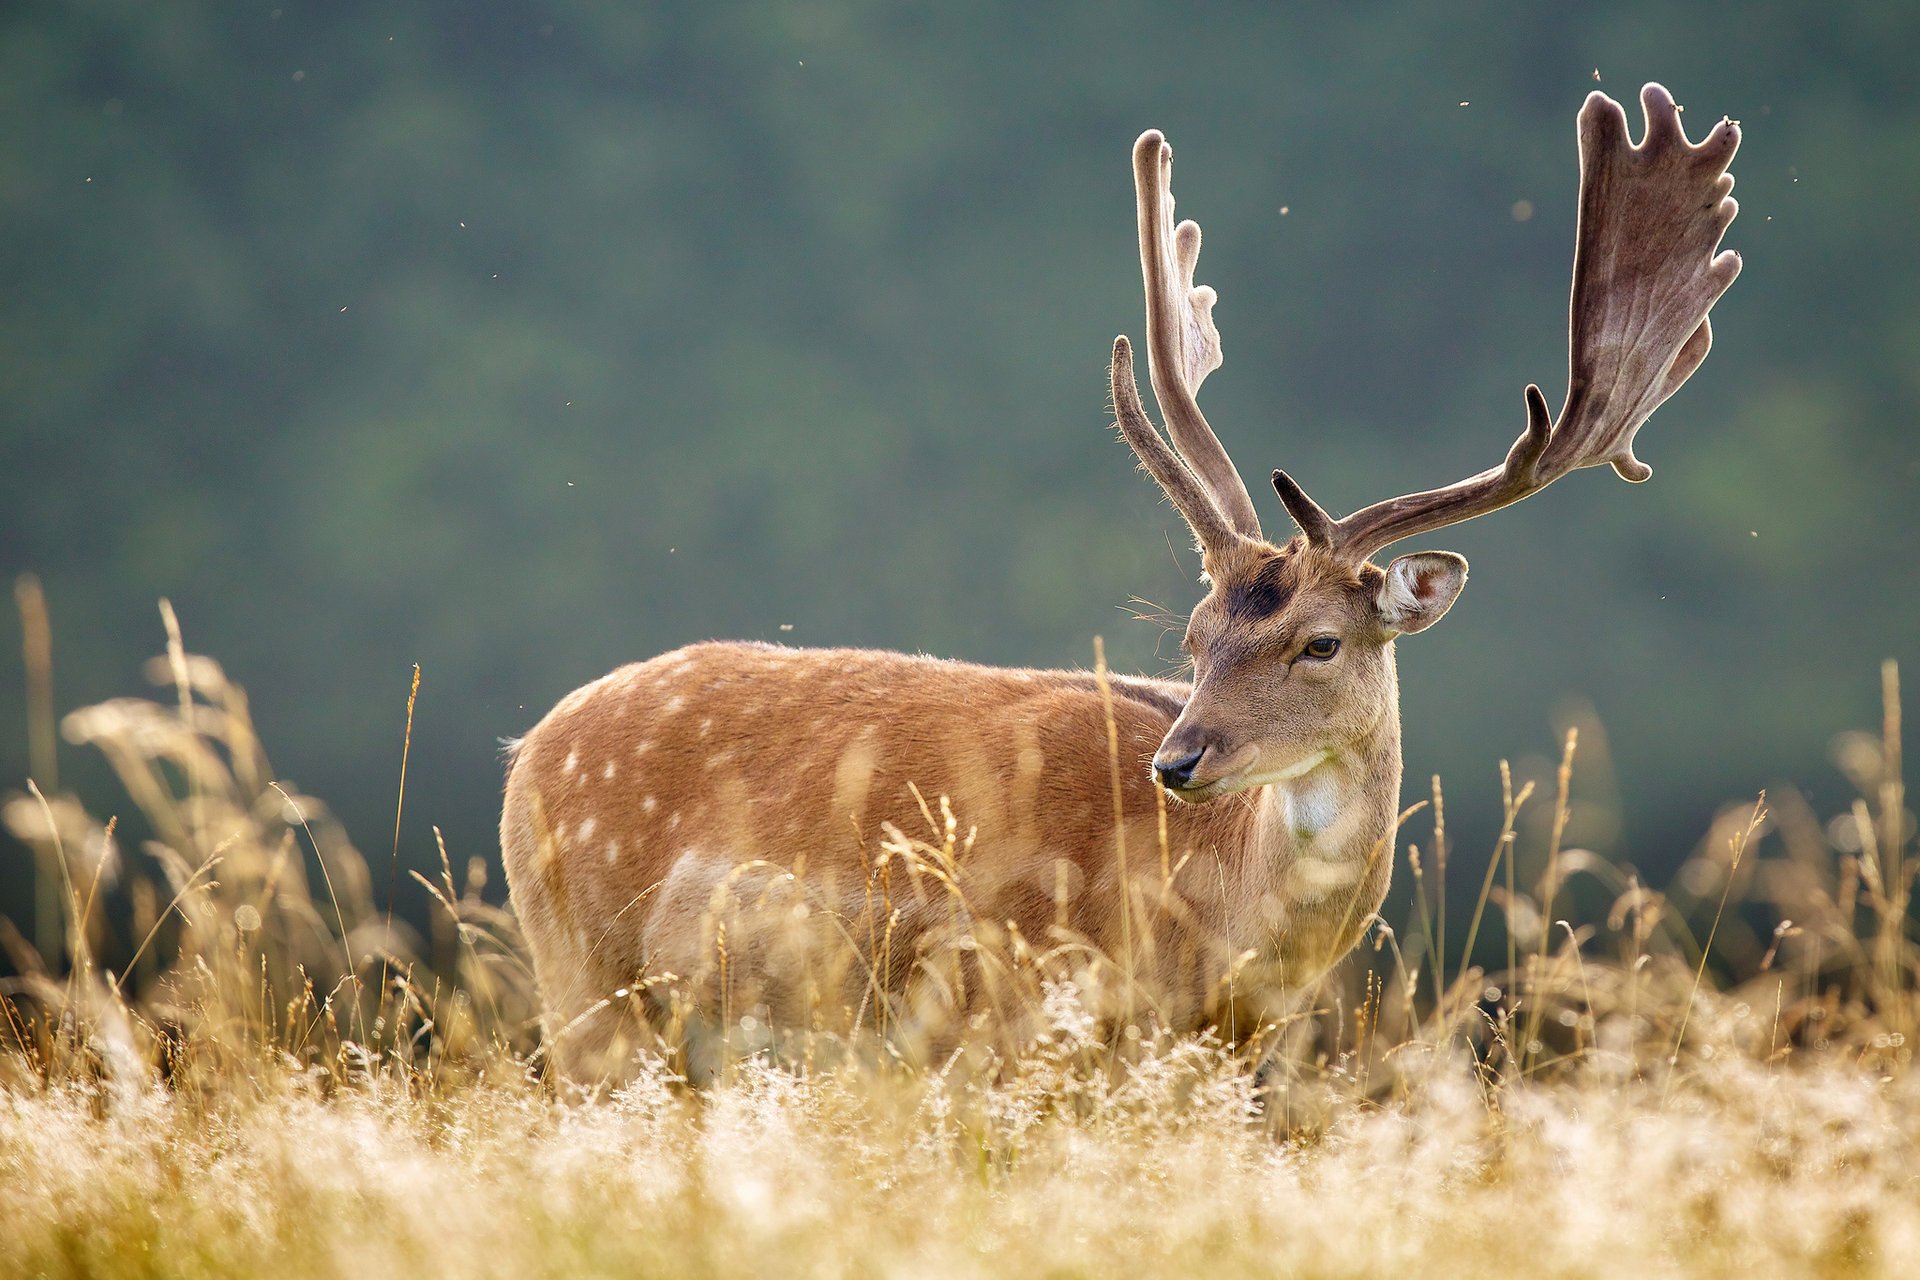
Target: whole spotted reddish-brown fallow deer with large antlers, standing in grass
1224,840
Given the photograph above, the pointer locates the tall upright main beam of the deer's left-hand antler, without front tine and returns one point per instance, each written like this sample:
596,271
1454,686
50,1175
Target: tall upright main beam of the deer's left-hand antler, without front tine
1184,346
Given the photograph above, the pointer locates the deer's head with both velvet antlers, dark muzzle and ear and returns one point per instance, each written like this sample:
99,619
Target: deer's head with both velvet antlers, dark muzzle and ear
1293,644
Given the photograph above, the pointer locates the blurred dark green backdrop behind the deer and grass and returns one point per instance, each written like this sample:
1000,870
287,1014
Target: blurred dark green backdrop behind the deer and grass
527,341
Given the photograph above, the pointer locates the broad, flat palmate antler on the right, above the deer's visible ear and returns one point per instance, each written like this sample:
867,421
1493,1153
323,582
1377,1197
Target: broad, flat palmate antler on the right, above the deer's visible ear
1644,277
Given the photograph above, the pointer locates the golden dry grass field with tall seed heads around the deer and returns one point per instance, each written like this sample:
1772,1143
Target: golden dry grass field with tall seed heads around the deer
1710,1079
